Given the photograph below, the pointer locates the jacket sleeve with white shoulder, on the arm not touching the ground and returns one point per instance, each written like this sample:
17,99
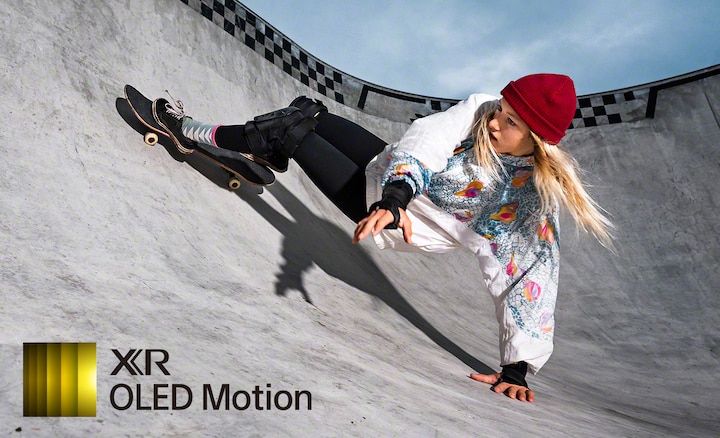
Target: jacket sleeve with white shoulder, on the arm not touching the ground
430,141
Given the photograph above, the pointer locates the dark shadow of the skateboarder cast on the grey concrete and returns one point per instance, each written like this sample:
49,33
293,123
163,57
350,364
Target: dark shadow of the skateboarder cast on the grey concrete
311,240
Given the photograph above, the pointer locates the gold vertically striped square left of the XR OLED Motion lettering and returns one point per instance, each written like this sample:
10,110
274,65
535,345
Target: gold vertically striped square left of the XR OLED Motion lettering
59,379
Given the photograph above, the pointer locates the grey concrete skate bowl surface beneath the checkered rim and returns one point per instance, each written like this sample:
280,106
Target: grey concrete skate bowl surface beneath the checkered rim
109,241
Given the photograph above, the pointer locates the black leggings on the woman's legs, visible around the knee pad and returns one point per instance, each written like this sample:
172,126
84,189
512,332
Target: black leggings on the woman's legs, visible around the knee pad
334,157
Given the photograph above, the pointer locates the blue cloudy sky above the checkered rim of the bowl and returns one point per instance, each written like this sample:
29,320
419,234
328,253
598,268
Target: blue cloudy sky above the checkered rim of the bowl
453,48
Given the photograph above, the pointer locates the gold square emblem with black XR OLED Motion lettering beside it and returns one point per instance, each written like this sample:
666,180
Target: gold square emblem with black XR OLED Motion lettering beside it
60,380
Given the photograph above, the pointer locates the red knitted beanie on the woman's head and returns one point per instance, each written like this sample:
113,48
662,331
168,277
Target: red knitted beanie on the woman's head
546,102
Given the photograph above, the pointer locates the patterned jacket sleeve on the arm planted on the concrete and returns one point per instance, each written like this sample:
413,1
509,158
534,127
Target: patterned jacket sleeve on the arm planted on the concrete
525,292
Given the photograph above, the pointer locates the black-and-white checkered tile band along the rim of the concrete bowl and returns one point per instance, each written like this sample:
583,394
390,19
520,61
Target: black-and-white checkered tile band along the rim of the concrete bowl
244,25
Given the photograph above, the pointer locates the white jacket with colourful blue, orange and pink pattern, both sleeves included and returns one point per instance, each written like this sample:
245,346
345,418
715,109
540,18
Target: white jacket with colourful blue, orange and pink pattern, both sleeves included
458,204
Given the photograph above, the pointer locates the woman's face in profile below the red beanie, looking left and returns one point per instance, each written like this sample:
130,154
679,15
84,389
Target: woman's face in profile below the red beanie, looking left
508,133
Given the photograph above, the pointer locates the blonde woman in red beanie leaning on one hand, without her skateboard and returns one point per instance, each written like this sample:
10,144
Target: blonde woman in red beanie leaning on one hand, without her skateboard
486,174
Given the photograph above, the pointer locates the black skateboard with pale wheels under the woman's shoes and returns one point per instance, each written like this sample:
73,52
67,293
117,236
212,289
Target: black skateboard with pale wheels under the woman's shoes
238,167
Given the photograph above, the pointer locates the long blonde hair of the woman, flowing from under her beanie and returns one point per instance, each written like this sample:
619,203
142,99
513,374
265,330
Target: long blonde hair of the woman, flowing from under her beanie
556,178
